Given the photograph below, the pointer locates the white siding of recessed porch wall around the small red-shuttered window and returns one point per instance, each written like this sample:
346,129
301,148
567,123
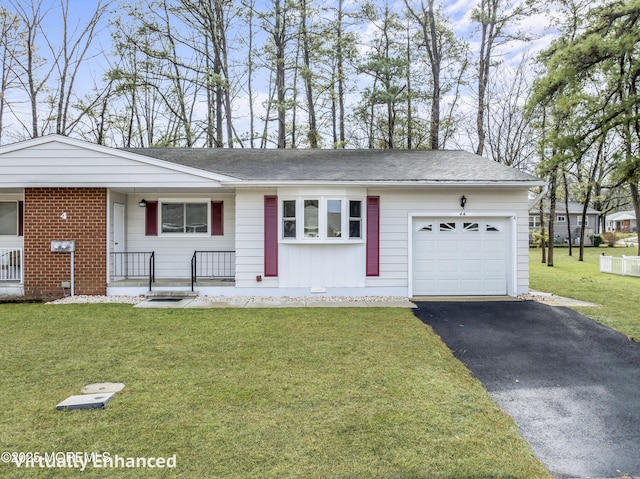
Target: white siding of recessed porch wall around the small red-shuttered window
173,252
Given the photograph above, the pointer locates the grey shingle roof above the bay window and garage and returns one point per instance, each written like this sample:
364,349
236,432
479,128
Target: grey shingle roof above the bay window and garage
342,165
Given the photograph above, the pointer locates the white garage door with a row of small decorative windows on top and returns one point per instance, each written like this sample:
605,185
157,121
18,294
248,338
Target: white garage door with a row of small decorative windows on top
460,256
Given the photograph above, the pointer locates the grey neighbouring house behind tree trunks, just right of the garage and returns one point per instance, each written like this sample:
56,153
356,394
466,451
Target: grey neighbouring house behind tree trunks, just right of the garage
562,222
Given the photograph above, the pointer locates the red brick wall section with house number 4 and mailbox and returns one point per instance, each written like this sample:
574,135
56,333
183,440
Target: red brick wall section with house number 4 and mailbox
86,223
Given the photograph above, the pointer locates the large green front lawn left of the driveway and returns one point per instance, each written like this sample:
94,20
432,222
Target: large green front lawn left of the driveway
266,393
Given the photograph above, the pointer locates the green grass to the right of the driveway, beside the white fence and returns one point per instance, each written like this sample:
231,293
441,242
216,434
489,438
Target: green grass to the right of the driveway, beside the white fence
569,277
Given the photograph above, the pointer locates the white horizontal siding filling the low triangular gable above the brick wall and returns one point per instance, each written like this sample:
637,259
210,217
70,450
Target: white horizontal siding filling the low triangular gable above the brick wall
57,164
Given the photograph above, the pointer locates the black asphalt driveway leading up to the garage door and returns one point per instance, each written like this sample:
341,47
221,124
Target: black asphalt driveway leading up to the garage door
571,384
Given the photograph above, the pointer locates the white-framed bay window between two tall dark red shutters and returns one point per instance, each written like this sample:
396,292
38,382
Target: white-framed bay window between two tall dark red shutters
321,219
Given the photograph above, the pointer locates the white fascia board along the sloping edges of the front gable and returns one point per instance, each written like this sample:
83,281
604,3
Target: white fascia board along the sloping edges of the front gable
114,152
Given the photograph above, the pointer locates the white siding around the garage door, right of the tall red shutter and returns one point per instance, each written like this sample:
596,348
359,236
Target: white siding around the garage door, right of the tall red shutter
396,205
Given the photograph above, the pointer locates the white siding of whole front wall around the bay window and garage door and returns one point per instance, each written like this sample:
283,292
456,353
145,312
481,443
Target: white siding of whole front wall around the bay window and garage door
318,265
